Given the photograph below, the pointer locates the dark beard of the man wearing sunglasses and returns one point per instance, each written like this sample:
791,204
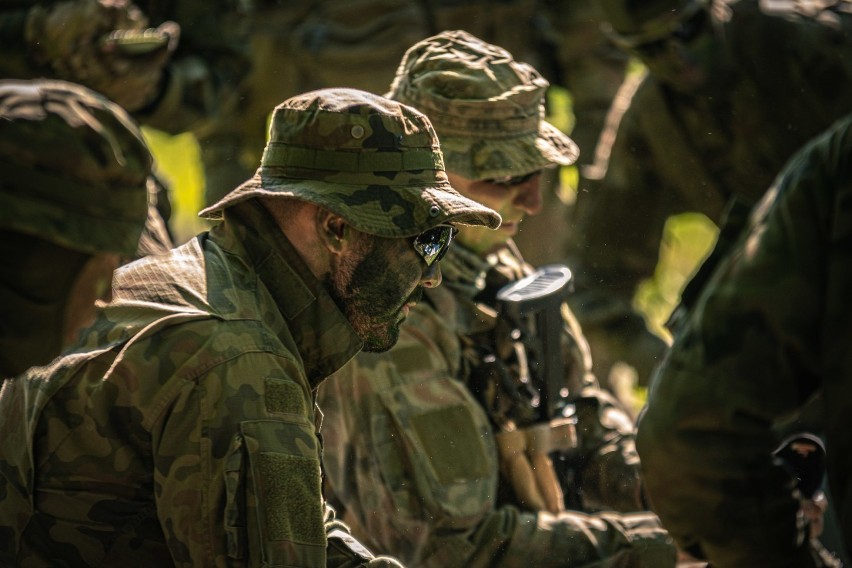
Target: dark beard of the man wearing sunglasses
371,293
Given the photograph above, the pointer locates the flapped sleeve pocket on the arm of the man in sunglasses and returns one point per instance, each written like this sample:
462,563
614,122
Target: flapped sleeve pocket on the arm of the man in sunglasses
283,500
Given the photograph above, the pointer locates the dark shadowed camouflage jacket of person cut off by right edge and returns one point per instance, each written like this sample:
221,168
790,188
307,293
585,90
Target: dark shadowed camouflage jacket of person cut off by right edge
769,333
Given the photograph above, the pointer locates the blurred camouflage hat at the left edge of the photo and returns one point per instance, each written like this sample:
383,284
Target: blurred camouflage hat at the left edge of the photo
73,167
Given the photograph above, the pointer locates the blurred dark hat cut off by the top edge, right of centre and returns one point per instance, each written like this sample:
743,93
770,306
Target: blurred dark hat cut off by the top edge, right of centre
635,23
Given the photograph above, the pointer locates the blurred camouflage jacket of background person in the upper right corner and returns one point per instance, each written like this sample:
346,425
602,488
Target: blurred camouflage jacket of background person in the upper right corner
790,79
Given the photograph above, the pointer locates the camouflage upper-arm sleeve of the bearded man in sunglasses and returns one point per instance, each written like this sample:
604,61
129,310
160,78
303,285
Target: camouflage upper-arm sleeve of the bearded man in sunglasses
237,449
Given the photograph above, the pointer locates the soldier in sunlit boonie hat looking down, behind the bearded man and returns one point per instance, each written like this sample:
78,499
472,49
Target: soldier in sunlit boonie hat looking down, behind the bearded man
411,454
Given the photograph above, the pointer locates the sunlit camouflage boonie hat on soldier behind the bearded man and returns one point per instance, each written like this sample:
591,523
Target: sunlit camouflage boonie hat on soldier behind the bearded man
487,108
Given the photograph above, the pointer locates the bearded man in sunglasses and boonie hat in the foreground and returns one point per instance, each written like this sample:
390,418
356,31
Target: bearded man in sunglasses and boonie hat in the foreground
181,429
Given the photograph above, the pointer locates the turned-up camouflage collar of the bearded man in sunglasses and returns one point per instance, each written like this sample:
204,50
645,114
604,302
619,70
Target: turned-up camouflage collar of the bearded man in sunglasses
323,336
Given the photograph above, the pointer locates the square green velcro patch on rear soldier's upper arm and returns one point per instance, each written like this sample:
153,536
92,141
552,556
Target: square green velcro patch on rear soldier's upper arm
442,433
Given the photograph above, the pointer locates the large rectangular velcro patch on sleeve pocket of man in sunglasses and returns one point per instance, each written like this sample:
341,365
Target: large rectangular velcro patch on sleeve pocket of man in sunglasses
290,494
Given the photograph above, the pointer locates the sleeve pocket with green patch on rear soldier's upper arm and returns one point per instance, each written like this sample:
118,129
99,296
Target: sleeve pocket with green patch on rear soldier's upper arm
436,450
